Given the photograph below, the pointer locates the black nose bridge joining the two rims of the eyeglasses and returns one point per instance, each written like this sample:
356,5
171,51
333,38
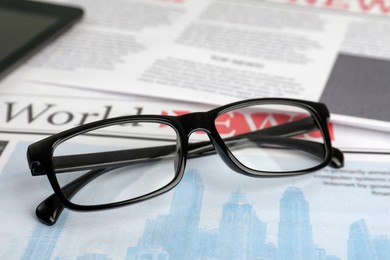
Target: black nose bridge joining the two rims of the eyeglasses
193,122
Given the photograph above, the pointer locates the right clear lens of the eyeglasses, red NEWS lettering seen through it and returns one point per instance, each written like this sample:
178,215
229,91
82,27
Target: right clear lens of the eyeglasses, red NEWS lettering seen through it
273,138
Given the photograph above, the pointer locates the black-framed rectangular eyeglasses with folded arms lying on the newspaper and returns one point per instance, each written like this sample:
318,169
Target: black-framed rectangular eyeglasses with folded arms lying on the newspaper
146,154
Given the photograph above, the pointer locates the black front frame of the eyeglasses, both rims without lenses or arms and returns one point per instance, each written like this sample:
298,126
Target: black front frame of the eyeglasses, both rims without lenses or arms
40,153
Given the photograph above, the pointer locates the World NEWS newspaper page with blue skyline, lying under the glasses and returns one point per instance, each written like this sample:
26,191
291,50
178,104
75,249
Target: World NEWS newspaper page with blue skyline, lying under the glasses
214,213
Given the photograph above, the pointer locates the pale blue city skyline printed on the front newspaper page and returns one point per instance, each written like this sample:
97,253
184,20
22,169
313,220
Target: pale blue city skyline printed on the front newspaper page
240,234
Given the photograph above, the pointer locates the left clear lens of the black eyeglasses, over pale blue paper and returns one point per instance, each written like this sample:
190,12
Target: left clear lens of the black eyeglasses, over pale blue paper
116,163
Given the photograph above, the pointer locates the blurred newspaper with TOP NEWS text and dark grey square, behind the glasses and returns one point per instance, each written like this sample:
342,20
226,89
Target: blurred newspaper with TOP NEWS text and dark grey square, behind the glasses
217,51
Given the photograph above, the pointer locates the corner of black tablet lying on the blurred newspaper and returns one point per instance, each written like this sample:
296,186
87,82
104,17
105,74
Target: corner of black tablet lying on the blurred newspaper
25,26
